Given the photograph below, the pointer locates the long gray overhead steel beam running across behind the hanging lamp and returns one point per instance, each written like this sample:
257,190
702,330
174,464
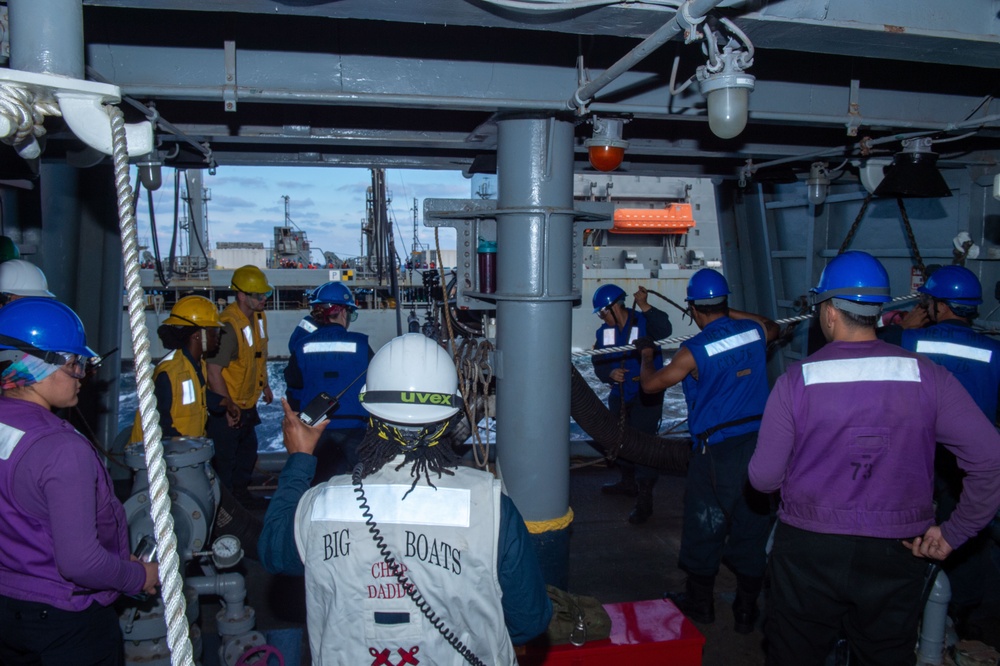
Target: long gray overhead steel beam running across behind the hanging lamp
186,74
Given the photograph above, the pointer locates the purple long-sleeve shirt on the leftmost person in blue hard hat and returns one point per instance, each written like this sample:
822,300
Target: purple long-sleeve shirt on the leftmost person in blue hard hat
63,533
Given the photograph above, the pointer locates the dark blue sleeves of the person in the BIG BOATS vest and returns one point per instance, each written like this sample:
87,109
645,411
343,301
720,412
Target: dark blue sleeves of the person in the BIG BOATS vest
526,606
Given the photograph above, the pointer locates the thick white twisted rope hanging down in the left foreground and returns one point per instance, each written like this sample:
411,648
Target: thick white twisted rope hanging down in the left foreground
166,542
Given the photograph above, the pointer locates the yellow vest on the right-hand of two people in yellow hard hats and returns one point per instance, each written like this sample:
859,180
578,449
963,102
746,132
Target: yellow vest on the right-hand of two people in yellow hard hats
246,376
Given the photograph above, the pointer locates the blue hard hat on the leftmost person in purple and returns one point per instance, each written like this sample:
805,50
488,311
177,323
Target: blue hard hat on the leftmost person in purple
42,324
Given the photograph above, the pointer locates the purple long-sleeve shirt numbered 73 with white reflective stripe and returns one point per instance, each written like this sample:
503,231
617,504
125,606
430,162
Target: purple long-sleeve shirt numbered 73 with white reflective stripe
848,436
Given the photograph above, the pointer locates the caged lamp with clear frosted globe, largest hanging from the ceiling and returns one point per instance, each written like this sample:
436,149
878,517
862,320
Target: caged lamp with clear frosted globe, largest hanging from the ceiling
726,86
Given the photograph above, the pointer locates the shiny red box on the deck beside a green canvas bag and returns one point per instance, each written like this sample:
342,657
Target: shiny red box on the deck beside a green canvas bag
642,632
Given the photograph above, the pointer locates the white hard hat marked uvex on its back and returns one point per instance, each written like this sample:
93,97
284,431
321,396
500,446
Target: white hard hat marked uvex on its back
411,381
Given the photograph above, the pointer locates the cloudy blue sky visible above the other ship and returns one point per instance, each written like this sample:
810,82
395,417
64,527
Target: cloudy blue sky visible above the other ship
328,203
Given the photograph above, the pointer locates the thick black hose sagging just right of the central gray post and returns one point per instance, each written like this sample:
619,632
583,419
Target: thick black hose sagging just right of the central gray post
664,453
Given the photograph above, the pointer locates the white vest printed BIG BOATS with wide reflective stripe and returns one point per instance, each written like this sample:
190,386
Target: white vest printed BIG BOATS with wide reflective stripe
446,539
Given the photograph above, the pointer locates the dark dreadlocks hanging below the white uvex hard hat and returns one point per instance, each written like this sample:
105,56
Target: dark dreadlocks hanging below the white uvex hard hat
422,450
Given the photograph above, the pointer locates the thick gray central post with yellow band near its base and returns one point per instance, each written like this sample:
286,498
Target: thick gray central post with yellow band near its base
534,302
